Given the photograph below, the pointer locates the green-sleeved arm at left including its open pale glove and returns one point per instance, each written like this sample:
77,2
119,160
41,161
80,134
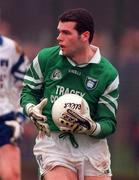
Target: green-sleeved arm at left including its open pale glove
31,97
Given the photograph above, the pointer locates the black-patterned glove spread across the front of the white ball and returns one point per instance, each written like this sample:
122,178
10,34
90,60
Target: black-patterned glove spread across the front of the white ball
70,121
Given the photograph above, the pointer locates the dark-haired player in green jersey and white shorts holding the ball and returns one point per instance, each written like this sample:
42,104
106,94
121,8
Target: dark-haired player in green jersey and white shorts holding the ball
72,144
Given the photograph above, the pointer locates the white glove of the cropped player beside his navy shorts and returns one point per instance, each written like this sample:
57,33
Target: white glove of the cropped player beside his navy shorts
17,129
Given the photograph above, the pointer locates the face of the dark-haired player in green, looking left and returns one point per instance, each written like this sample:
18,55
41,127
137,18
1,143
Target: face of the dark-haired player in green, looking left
69,40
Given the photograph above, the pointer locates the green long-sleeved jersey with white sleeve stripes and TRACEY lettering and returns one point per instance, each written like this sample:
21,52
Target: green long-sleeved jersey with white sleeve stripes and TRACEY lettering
52,75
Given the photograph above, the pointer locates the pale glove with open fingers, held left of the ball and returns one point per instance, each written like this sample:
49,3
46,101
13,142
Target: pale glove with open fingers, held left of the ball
35,114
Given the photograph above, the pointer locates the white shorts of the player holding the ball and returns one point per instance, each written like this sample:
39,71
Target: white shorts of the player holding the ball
91,158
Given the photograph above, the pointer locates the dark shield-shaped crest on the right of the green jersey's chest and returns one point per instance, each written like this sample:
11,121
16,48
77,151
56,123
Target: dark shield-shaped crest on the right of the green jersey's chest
91,83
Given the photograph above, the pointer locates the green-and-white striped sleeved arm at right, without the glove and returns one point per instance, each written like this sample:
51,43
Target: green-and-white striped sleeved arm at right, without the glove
107,108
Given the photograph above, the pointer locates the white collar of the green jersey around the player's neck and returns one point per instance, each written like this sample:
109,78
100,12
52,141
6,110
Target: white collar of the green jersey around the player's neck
94,60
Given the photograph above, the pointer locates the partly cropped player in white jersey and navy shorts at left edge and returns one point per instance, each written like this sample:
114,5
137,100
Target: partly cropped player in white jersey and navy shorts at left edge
13,64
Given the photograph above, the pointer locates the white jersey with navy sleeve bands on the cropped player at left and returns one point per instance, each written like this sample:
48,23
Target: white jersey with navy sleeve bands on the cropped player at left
13,64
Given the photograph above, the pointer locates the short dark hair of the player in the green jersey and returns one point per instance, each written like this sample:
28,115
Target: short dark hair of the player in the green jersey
82,17
